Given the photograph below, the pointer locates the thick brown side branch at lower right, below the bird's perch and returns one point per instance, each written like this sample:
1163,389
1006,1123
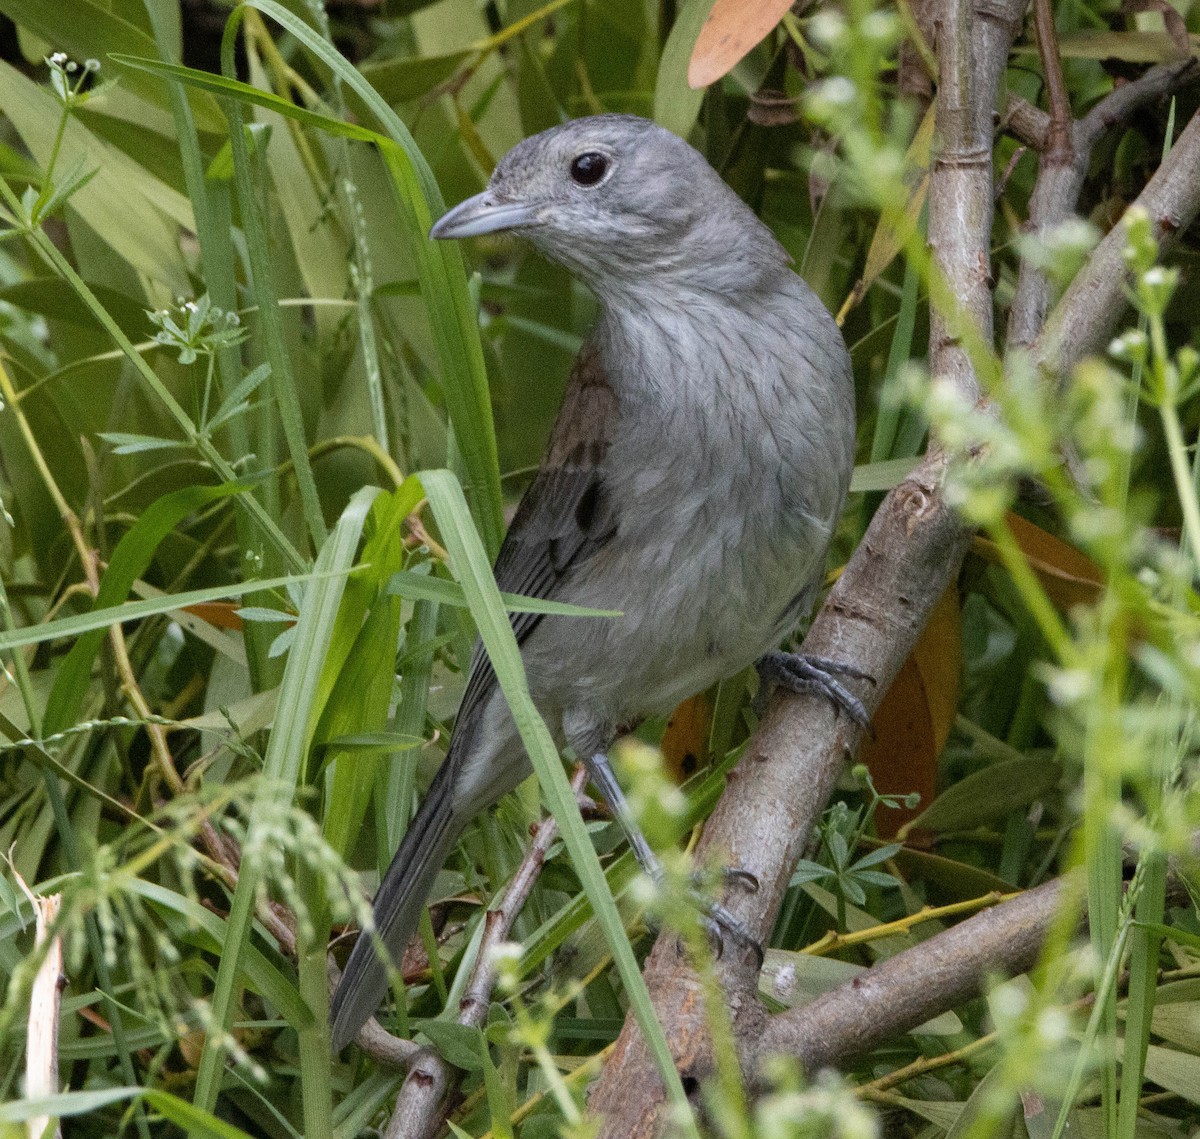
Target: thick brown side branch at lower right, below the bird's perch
913,987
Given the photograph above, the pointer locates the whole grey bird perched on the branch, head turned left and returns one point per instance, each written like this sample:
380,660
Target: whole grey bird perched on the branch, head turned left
693,482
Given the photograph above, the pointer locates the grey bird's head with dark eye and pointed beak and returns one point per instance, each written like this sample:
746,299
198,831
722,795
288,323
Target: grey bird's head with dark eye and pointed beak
625,205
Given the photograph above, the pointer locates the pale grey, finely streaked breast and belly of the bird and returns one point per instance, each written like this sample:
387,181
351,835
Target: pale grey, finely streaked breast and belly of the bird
725,477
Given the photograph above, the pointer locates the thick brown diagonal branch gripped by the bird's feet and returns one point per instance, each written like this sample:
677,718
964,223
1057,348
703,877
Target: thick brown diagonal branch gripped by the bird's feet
873,618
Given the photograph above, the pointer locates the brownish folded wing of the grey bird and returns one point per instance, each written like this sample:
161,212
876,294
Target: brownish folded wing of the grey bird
563,518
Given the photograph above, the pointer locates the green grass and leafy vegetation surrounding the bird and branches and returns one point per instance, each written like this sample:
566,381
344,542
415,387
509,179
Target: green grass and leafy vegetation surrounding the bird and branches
236,620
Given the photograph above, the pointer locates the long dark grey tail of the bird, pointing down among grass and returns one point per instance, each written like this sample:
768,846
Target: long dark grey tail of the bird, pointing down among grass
398,907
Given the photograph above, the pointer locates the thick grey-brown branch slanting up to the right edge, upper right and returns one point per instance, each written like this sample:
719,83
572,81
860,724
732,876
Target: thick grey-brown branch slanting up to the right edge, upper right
1090,310
